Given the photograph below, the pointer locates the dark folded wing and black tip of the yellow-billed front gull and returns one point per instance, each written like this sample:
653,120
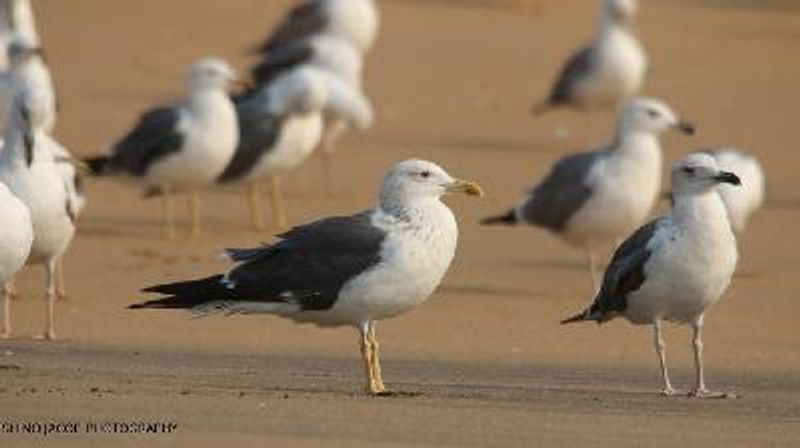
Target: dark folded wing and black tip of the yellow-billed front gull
307,267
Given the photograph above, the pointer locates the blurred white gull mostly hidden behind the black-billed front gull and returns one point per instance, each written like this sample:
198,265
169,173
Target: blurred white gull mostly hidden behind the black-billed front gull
741,202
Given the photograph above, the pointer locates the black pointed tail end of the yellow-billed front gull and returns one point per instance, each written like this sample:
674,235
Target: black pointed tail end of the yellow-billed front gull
193,294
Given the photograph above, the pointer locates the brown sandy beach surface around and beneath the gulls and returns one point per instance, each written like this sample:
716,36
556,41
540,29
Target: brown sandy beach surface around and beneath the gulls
484,363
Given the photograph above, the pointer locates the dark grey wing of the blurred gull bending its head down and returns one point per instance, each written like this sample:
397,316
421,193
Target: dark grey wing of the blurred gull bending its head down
258,132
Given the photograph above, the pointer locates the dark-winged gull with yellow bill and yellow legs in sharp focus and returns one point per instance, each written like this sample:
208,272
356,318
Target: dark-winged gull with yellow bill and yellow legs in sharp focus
343,271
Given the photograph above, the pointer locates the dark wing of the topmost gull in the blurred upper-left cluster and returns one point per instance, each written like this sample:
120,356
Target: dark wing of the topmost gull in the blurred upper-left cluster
302,21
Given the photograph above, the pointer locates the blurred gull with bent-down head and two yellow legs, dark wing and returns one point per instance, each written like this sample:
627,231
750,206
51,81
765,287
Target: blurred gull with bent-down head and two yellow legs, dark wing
280,126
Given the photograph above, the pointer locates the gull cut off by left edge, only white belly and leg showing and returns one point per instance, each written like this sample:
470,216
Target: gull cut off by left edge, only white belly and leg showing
16,237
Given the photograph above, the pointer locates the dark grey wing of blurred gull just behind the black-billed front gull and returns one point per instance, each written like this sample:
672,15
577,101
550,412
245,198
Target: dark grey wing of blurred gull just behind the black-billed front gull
553,202
